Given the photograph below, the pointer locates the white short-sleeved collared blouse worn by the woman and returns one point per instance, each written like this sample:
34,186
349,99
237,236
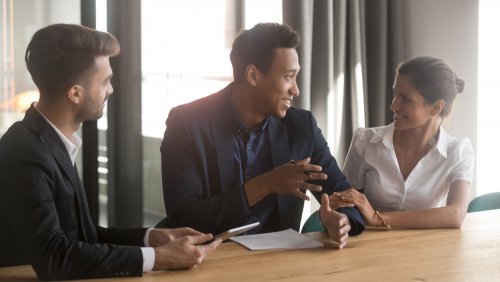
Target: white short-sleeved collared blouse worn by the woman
371,164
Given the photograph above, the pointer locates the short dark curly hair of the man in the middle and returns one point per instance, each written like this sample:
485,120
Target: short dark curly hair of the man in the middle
256,46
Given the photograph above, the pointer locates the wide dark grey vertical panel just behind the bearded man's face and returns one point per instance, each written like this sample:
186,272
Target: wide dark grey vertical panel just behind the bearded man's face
124,134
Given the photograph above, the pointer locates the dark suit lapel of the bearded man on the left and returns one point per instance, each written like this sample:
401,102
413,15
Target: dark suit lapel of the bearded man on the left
37,123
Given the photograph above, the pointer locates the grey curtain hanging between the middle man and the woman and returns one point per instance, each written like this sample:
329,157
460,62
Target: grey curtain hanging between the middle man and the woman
348,55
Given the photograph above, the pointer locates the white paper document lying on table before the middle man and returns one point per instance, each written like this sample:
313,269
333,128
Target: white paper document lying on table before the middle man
286,239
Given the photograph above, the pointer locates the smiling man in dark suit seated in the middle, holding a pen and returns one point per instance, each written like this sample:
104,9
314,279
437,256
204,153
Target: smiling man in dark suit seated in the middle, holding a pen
244,154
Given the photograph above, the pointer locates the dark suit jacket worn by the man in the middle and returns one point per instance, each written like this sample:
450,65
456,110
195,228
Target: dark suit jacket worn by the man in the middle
199,186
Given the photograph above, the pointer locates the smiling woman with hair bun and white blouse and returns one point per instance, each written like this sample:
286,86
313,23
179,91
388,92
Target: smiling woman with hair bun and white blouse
411,173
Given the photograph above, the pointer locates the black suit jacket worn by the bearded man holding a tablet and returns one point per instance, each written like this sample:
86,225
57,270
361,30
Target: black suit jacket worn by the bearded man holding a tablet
44,217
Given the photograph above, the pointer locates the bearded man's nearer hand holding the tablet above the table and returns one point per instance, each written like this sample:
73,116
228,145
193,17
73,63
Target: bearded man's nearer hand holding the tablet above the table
184,252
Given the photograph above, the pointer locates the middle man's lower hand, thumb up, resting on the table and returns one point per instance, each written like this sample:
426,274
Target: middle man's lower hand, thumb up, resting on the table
337,224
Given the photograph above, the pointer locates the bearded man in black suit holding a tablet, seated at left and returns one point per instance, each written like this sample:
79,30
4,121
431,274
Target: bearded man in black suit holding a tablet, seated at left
44,217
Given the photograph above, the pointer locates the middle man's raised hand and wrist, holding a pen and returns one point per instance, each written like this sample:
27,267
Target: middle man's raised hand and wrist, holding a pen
289,178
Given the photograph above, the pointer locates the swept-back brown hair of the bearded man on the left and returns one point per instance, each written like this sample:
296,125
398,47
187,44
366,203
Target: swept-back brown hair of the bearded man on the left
60,55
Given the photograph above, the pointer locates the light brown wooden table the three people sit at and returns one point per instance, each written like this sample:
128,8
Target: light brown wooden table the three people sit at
469,254
